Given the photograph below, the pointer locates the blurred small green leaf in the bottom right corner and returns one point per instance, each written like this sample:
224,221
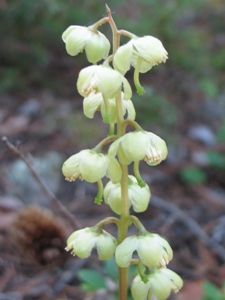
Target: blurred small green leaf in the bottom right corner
212,292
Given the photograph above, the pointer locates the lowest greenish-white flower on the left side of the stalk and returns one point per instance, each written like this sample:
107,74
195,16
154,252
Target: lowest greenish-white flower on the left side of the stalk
81,243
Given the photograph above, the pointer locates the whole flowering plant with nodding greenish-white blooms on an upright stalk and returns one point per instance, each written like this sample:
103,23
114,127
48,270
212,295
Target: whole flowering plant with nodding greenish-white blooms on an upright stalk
105,88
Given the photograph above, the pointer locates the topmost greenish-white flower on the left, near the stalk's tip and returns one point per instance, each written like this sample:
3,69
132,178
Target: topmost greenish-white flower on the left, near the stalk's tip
79,38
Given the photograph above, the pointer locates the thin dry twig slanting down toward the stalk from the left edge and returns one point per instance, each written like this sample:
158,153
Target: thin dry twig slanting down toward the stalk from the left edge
58,206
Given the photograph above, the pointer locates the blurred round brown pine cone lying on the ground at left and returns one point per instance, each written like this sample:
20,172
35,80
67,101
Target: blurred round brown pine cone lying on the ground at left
38,235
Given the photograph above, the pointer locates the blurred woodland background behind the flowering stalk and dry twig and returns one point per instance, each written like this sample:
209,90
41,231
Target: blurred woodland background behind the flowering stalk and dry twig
41,113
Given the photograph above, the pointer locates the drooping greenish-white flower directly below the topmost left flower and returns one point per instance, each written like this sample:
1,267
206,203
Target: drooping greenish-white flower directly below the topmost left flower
102,79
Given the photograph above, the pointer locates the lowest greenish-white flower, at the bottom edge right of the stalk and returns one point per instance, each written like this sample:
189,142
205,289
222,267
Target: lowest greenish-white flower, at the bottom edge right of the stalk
159,285
